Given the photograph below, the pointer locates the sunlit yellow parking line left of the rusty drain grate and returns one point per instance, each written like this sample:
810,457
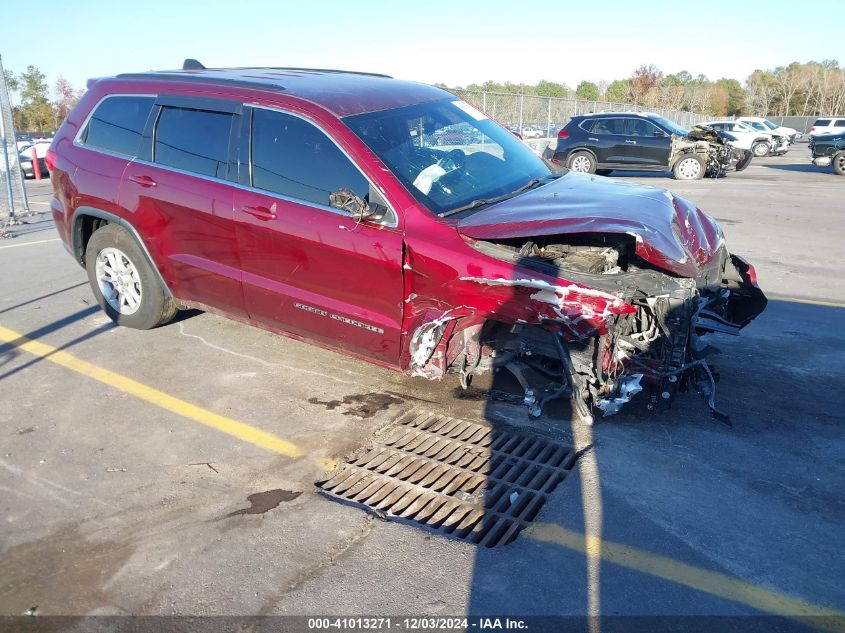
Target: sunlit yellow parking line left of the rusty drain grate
237,429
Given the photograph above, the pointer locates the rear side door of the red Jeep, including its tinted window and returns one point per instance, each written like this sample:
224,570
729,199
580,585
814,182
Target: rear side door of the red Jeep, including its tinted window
180,191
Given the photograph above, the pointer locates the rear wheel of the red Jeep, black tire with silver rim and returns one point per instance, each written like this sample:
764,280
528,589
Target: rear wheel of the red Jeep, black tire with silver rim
153,307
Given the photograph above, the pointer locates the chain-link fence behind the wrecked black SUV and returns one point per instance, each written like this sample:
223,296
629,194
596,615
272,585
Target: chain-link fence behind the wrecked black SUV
547,115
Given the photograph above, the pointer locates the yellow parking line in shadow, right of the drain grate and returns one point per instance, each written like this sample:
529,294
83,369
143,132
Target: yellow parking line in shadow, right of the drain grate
714,583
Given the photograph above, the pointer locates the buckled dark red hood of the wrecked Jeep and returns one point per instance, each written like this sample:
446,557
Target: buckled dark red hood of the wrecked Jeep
670,232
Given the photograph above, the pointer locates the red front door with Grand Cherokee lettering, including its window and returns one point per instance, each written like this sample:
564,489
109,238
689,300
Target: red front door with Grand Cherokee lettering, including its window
308,268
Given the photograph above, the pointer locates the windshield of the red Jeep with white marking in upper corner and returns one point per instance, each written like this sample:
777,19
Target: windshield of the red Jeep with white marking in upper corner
447,153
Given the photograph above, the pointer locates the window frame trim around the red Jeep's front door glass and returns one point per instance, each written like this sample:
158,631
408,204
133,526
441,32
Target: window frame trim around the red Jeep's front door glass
244,182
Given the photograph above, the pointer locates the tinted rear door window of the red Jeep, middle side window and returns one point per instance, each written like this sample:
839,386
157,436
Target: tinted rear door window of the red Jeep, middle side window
194,140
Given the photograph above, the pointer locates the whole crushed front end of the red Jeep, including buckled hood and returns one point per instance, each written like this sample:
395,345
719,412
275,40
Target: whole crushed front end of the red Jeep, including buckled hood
593,315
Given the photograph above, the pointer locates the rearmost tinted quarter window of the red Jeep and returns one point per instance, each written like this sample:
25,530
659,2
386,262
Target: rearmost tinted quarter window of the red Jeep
116,125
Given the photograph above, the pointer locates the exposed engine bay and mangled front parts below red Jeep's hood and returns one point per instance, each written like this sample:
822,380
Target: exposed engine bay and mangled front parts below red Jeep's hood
658,344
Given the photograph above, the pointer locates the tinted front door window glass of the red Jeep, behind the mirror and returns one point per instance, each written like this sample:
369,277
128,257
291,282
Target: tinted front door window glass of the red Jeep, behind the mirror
292,157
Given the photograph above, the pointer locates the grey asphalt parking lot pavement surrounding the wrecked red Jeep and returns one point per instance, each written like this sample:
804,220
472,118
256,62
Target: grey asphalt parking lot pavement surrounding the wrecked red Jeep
128,457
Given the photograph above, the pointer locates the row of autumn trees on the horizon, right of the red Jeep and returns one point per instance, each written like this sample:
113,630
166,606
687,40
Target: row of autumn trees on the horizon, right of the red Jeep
808,89
